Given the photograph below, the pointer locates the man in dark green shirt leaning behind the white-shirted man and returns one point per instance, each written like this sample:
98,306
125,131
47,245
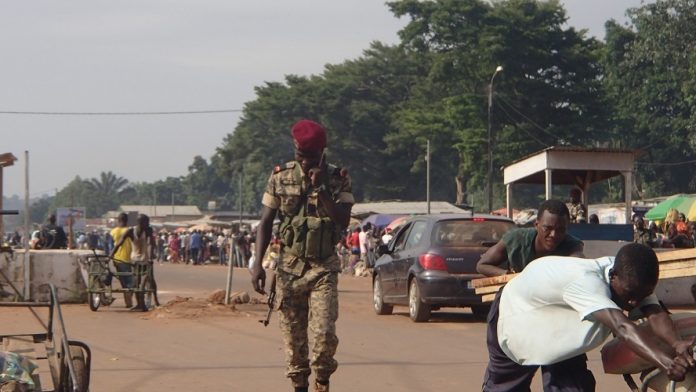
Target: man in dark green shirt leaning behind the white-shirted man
520,247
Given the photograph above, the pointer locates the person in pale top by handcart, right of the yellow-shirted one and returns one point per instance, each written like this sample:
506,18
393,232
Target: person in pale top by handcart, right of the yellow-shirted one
143,246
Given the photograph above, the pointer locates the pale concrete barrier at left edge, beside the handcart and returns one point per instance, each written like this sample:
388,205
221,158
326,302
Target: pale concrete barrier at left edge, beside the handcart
60,267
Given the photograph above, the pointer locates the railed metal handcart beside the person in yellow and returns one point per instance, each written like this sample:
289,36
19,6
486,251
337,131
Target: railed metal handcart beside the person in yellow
100,279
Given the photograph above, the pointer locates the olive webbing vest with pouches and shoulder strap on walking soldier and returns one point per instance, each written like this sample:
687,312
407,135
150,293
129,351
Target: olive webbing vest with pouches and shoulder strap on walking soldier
307,236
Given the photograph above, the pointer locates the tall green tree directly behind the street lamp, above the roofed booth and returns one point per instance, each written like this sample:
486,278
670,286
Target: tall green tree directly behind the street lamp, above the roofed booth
548,94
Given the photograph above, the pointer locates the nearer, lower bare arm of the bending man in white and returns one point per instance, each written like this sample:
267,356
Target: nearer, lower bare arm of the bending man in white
645,344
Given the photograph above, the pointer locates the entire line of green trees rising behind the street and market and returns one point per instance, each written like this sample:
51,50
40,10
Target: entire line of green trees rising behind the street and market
558,87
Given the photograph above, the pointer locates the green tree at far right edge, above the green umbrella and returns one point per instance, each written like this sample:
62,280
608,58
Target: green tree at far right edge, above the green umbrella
650,69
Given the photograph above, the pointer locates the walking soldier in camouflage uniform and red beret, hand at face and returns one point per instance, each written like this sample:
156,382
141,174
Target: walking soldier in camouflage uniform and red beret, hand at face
314,202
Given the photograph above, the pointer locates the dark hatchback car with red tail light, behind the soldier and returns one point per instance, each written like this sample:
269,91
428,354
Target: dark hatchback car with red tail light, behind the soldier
429,262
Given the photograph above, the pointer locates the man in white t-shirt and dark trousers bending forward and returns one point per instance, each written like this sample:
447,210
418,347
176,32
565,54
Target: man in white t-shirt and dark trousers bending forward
561,307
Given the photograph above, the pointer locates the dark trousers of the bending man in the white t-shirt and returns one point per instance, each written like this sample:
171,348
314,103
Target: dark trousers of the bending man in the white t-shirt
505,375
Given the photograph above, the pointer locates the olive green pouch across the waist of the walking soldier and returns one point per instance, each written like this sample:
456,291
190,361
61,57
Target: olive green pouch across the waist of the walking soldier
309,237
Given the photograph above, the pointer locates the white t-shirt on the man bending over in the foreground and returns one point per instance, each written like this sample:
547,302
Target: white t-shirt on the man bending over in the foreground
545,312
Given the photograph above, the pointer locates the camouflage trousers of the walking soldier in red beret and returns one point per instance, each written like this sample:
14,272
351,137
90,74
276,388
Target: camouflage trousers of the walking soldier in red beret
309,301
